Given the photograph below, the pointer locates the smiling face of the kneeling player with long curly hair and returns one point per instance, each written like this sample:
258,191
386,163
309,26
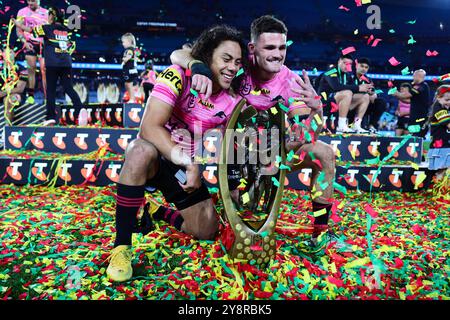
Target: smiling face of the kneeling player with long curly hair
226,62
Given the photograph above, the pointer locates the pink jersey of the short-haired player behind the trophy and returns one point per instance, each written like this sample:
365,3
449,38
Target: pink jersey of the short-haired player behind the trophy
263,95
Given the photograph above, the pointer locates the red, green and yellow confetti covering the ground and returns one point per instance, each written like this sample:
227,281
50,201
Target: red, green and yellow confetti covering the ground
55,242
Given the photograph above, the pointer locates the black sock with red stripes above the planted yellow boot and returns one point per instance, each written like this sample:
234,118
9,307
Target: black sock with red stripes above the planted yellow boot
129,201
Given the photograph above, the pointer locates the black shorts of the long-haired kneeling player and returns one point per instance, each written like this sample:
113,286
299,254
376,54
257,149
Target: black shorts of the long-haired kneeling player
165,181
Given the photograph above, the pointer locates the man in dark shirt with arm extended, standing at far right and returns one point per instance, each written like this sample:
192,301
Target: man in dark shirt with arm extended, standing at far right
420,104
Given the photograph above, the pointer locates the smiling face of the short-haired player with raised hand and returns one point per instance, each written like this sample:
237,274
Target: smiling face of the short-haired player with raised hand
269,51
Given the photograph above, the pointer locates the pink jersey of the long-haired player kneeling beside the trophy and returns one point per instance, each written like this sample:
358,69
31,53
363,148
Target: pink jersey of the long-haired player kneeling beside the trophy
189,112
